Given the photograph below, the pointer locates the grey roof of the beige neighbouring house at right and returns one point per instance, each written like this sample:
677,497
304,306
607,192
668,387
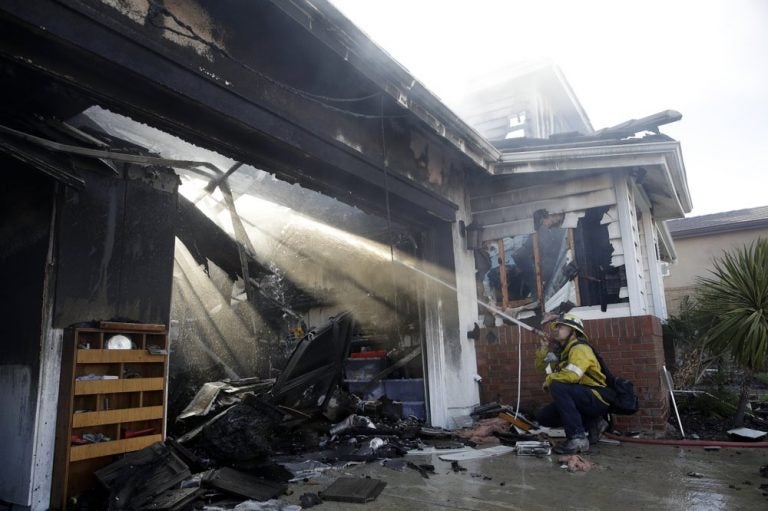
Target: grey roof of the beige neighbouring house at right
727,221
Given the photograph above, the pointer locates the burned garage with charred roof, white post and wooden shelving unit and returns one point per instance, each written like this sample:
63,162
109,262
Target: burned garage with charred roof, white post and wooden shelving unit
176,165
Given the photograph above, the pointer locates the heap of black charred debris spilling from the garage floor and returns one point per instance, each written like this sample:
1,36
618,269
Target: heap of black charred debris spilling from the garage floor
239,443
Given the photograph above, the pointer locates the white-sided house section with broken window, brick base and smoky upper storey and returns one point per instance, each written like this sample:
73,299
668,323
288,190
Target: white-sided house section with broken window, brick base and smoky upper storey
578,218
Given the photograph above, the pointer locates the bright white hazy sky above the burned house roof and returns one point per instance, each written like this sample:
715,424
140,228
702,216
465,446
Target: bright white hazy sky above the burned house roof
624,60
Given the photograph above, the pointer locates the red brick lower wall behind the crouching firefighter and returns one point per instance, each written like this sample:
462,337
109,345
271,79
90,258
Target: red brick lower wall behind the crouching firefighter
632,347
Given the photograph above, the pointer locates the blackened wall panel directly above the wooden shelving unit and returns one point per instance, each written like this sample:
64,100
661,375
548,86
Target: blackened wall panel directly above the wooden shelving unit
115,247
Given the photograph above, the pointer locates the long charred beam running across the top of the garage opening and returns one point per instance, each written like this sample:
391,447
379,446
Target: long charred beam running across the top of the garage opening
130,69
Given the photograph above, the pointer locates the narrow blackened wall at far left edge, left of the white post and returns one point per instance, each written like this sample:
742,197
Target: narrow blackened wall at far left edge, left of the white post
26,199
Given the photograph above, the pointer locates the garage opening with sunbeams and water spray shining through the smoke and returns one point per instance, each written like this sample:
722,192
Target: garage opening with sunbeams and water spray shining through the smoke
263,265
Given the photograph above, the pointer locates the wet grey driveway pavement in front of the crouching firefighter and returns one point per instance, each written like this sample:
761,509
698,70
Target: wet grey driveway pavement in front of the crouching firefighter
631,477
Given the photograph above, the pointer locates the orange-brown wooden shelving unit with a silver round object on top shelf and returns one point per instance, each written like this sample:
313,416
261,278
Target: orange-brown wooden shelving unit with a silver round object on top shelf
129,409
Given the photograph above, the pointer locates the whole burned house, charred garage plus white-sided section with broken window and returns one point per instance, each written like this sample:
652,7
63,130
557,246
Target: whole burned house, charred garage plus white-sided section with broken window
239,172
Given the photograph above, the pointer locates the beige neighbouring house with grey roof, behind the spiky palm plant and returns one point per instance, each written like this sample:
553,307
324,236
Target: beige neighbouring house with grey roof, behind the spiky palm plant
701,239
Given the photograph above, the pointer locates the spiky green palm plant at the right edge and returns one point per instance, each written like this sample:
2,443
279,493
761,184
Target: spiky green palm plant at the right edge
735,298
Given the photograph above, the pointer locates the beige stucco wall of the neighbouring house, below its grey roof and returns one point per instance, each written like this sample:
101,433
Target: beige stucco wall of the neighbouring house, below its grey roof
695,256
